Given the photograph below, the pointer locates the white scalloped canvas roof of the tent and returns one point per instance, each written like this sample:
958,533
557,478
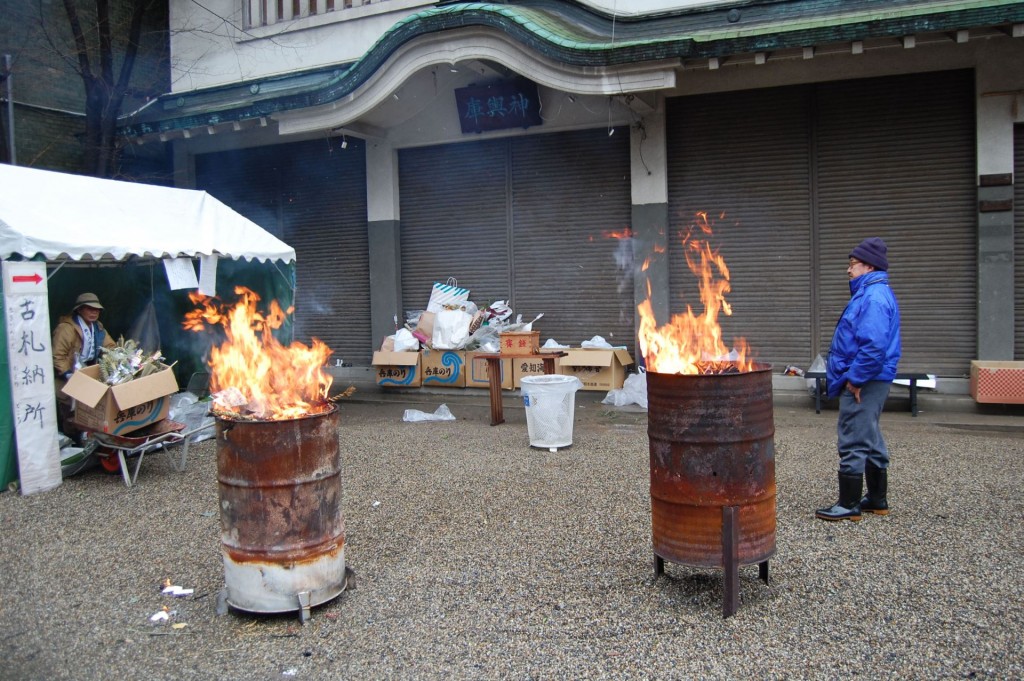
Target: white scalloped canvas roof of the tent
84,219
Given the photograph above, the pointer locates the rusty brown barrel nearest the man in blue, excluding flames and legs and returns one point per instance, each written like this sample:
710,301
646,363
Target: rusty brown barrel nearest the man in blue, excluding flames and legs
712,447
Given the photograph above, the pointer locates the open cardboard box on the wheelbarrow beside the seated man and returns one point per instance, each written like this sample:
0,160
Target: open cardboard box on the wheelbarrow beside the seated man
120,409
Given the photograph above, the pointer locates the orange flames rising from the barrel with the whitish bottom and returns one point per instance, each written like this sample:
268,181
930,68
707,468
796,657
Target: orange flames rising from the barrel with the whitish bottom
270,381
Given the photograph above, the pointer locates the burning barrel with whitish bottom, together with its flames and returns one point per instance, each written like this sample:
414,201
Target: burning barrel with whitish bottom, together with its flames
279,463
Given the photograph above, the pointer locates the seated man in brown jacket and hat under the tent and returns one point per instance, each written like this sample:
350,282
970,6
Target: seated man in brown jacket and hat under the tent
77,340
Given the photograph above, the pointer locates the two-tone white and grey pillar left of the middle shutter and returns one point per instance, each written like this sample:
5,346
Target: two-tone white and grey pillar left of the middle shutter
385,233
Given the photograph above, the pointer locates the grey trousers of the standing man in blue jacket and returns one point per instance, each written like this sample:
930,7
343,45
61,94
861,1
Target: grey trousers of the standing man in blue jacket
861,440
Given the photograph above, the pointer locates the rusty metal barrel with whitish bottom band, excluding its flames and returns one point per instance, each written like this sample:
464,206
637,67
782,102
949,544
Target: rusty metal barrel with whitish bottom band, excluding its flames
283,529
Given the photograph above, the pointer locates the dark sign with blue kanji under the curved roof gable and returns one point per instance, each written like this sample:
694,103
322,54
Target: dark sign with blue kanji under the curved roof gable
508,105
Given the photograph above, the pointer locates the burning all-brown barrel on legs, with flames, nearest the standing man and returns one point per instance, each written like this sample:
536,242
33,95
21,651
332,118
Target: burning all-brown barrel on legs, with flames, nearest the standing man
711,434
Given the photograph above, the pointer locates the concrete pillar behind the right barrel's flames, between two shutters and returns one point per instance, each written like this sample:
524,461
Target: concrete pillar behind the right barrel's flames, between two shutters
651,214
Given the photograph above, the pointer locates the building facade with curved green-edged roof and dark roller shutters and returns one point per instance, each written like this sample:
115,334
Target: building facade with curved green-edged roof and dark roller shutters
557,153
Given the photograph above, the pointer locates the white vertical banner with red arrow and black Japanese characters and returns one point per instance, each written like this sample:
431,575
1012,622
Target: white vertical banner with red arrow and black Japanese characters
31,363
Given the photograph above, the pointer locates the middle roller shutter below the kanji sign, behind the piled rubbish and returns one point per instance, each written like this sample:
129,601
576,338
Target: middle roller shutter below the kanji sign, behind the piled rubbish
524,220
